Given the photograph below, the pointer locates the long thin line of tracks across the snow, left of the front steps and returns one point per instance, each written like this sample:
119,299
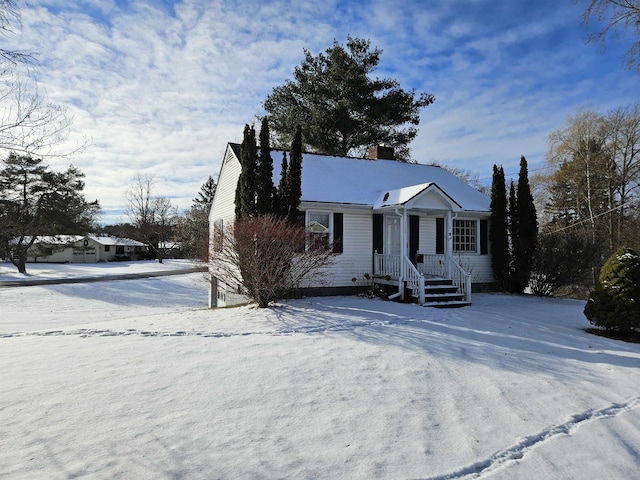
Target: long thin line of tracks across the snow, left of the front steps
84,332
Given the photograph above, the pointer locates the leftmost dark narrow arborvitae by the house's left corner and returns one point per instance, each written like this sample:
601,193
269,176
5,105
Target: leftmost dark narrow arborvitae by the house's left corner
246,190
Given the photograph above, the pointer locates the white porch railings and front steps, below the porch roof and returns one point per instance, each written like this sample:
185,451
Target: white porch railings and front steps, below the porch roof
436,280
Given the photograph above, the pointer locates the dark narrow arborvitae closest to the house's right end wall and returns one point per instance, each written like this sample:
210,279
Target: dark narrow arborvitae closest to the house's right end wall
498,232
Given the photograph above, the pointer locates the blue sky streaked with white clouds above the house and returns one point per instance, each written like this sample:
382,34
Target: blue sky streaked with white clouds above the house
159,87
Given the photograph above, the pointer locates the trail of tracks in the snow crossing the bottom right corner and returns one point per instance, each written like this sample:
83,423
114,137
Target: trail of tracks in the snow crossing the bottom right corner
516,452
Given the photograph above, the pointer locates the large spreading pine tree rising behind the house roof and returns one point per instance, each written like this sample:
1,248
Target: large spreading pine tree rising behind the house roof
341,108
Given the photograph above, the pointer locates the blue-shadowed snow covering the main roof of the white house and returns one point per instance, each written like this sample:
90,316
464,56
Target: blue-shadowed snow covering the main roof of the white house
358,181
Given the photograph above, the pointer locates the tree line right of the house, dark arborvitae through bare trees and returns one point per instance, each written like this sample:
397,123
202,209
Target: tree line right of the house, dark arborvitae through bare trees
587,206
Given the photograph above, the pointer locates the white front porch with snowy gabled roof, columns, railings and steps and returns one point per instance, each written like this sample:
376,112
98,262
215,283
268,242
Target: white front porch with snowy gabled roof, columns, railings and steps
413,245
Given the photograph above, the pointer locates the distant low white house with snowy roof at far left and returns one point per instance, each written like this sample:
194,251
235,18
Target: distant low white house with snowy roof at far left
85,249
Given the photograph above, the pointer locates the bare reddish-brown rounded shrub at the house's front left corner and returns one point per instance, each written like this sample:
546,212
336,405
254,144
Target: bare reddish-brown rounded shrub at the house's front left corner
267,256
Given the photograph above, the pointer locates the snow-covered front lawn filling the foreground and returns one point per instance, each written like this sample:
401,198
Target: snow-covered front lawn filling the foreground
137,379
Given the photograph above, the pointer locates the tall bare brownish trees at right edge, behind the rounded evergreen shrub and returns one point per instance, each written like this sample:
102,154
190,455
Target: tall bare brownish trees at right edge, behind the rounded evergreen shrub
595,177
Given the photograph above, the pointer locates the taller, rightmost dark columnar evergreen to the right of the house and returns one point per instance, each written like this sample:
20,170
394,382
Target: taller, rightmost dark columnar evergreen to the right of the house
524,244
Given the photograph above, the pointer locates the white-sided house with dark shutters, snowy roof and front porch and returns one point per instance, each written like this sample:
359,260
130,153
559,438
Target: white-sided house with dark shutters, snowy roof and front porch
403,225
